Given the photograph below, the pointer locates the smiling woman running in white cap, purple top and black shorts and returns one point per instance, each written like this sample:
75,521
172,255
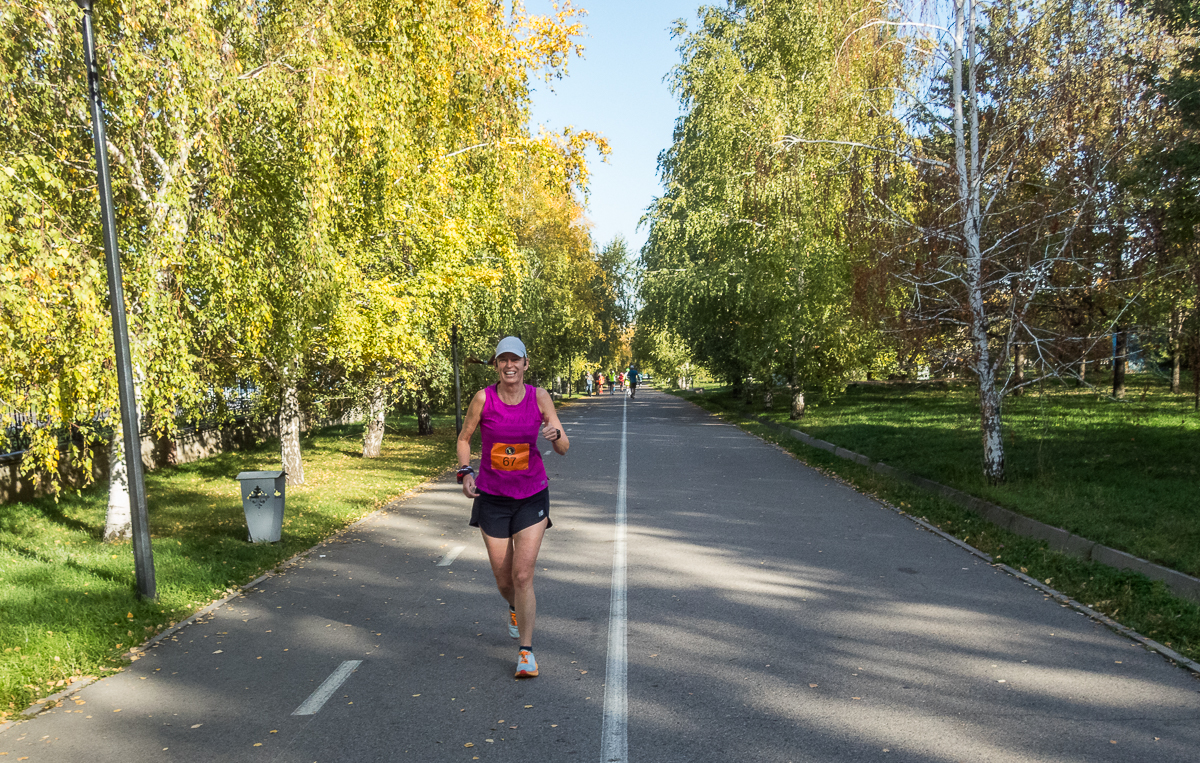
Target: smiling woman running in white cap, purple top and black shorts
512,506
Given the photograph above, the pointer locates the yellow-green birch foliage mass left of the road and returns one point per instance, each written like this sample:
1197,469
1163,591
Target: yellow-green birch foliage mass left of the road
309,196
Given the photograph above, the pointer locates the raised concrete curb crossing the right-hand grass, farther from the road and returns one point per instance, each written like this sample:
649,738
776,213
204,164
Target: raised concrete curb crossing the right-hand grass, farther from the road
1058,539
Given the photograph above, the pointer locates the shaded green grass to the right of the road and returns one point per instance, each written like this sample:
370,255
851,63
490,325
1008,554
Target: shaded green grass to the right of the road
1126,472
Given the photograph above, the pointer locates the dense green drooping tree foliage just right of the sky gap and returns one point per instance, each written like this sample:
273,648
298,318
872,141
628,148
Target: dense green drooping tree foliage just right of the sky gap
749,259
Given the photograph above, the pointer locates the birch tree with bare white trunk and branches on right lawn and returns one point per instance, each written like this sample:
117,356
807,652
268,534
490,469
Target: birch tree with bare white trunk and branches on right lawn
1018,195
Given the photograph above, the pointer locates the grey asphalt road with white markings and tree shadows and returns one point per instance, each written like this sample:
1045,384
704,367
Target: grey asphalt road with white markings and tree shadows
764,612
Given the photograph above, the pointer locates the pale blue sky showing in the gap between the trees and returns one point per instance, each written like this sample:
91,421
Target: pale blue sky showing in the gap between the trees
619,91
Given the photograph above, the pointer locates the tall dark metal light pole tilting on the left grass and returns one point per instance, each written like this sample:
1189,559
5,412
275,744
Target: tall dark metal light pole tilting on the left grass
143,556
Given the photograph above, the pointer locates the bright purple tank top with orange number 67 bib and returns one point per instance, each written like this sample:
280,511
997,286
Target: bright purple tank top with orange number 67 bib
512,465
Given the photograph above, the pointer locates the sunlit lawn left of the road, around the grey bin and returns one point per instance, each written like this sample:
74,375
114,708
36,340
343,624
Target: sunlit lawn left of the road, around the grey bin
69,606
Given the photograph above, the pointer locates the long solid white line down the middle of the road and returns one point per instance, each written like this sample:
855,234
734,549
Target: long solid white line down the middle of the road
614,735
